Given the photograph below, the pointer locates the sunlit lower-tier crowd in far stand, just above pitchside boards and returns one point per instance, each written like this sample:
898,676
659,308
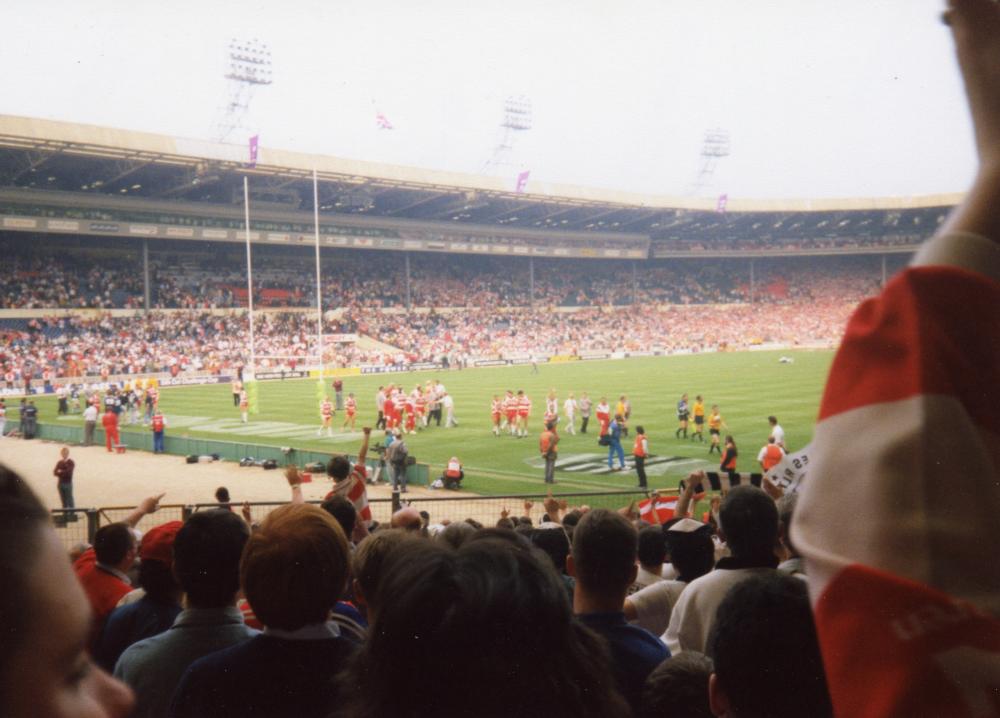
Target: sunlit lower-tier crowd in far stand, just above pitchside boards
197,341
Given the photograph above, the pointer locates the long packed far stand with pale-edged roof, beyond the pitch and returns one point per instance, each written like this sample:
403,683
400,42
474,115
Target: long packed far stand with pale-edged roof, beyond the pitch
151,231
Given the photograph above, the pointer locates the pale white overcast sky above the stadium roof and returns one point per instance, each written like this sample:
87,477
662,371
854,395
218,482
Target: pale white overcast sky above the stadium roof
821,98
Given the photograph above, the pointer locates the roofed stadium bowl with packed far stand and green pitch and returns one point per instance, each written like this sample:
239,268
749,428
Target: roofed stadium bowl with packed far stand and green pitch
130,257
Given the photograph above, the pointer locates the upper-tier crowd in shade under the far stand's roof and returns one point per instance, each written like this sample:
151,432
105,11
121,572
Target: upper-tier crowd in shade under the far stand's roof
42,278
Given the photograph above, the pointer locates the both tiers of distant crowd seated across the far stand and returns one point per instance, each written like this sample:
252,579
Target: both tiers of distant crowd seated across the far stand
478,307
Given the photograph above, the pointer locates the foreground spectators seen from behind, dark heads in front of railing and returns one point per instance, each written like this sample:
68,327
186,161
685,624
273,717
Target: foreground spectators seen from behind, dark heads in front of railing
320,611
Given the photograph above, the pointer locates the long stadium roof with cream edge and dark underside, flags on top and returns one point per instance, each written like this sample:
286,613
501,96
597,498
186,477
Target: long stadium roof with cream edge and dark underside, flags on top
46,154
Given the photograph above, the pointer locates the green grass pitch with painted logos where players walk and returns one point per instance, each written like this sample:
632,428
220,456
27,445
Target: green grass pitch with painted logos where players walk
748,386
